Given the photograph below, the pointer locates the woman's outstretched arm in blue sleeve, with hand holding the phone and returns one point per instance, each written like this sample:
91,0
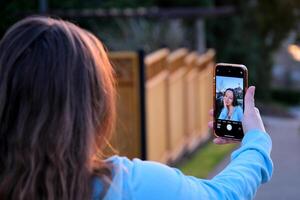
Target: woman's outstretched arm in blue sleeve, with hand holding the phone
250,166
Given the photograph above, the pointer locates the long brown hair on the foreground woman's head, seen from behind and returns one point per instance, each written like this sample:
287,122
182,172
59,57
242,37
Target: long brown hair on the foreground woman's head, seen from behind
57,108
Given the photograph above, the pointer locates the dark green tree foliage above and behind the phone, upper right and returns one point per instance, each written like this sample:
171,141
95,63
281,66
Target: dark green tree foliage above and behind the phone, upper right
252,35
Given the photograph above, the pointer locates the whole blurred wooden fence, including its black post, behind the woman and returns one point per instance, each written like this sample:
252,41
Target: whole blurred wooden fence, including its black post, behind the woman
163,102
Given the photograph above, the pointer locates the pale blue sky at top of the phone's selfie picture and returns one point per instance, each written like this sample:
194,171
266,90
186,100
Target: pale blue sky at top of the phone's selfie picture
224,82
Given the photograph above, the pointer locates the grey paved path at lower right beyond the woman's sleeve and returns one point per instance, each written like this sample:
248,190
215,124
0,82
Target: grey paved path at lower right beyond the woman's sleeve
285,184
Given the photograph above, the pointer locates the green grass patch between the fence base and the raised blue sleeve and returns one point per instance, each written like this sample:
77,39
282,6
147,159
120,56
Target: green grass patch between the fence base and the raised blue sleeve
205,159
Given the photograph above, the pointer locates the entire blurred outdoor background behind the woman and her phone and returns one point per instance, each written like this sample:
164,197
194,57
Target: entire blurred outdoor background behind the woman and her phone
153,36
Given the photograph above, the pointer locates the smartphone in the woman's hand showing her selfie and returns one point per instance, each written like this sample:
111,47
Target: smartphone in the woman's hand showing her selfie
230,84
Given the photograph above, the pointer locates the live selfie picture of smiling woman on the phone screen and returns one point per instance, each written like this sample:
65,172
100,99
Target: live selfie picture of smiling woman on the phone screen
229,98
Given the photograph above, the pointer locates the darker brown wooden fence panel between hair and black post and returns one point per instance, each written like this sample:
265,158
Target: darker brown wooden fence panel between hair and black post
127,136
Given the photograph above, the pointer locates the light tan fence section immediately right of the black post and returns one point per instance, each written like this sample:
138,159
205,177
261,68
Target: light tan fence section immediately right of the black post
156,111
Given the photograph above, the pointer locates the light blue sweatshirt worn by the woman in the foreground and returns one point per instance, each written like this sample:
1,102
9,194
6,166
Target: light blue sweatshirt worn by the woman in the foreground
250,166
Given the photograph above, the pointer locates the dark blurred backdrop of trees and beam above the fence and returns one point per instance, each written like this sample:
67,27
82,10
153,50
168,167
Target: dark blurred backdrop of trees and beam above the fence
261,34
